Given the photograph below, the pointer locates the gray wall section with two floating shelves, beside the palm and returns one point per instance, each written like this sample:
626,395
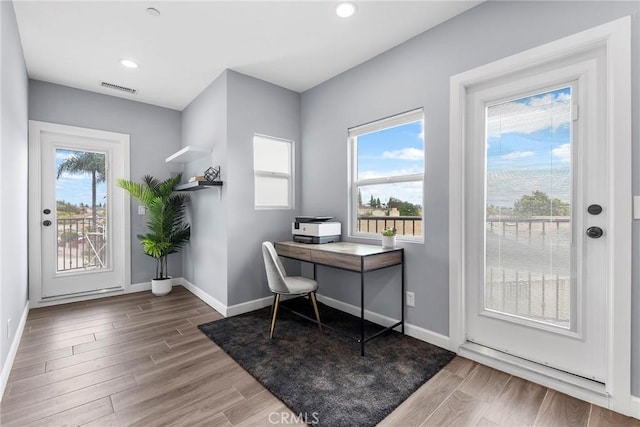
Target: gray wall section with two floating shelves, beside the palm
204,124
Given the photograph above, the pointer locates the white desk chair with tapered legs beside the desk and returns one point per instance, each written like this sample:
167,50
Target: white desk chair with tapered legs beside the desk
281,284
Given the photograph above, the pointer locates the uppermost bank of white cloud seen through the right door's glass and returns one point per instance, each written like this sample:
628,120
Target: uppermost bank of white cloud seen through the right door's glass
541,112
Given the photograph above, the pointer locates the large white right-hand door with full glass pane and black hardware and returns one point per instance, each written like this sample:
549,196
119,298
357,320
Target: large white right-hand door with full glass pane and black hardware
537,216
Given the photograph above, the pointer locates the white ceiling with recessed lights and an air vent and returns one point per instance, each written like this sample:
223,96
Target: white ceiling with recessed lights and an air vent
294,44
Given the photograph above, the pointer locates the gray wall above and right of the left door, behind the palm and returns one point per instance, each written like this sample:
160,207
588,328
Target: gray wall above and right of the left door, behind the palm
154,135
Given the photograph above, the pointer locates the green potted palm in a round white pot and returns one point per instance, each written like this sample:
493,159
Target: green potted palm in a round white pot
167,231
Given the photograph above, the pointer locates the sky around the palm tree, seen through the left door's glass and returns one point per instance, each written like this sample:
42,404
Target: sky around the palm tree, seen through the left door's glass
76,188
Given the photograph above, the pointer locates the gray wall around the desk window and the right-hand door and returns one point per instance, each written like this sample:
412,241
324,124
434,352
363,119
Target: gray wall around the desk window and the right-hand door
416,74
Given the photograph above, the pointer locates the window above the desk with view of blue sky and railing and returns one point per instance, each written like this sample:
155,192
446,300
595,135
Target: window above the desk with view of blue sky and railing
387,175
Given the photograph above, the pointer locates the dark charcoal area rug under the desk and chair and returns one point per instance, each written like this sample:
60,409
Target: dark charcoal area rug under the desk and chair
321,377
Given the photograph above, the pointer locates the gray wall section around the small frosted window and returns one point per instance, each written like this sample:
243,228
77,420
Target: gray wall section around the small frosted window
254,106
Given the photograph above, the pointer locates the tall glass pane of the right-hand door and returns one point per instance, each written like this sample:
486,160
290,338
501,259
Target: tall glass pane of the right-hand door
528,230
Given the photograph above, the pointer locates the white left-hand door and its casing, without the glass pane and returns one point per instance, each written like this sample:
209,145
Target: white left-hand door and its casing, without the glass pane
48,282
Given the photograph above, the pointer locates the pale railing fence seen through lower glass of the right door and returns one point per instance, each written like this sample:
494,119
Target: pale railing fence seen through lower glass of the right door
528,268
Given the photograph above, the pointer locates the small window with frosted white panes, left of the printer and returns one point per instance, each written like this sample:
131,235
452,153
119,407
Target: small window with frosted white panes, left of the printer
273,171
